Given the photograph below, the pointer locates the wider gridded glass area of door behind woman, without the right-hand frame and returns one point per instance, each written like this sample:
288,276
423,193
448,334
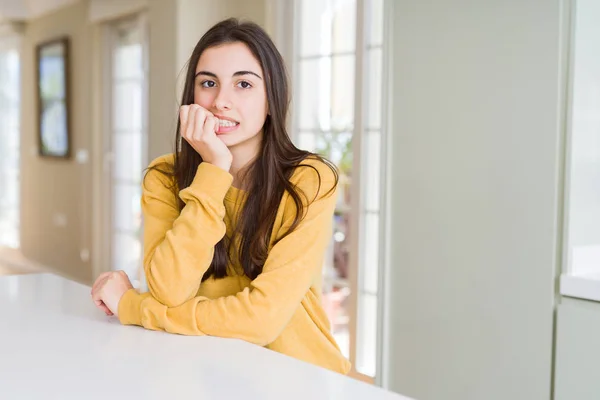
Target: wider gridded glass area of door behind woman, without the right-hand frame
324,123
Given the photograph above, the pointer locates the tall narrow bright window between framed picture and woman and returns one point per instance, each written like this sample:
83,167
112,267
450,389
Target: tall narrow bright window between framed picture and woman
127,144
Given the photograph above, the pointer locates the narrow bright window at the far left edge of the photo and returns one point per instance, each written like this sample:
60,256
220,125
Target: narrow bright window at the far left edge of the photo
9,143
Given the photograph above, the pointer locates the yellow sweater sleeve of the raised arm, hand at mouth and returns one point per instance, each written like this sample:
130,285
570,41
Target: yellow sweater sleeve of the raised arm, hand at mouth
179,247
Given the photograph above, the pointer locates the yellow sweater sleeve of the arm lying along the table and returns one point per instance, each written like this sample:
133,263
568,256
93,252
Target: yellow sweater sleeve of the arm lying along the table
259,313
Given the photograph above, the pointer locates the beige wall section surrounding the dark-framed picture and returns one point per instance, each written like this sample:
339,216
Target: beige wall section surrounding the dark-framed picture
52,188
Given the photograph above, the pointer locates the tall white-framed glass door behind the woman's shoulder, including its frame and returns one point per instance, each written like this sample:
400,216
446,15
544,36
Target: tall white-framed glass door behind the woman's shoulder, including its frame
337,113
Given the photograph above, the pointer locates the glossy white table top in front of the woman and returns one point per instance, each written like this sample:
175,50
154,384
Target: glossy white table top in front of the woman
55,344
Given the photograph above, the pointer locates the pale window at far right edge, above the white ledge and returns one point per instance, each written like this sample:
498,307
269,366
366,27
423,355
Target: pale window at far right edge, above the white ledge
583,212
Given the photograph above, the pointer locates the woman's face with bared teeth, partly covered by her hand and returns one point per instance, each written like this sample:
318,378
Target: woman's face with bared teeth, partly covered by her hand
230,84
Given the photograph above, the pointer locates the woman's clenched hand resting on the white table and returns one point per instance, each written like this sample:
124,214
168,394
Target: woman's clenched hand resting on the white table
108,290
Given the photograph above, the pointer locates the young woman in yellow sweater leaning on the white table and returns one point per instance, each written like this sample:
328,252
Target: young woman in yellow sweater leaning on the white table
237,220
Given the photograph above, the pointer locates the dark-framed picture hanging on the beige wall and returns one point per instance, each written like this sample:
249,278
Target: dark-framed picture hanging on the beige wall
52,67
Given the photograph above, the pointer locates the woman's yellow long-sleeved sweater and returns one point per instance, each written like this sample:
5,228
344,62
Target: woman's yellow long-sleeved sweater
280,309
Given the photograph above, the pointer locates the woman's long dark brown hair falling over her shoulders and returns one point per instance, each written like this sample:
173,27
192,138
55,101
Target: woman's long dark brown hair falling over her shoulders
268,175
